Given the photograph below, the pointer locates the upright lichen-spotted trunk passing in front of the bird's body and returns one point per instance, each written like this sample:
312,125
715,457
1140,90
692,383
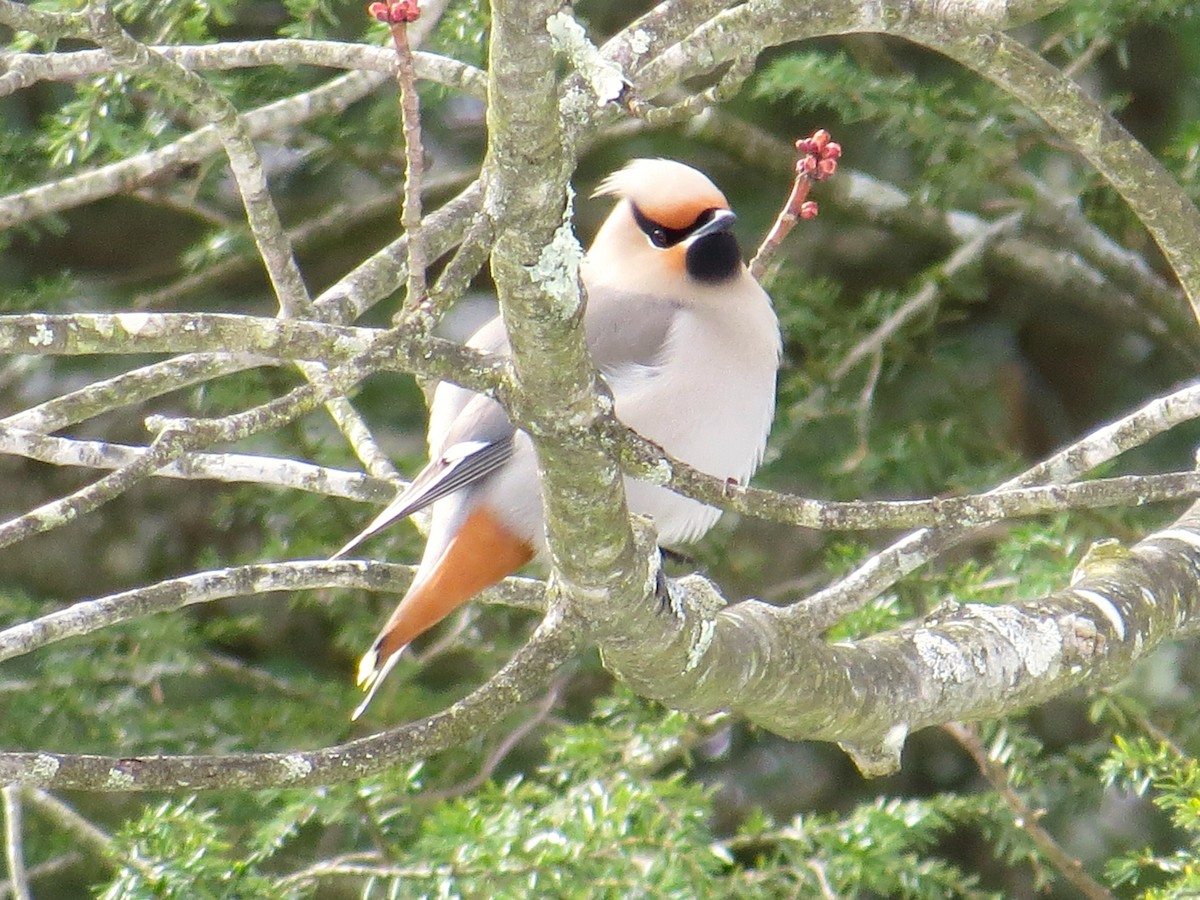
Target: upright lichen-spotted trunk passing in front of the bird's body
536,266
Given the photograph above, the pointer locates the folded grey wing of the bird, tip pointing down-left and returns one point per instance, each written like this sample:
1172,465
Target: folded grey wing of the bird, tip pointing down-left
477,445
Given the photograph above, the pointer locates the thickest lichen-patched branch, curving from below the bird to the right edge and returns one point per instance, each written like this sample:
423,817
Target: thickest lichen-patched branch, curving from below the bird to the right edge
959,663
